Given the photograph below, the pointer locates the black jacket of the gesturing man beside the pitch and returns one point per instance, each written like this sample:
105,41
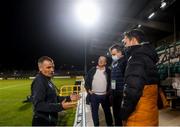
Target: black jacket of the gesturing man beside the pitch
46,102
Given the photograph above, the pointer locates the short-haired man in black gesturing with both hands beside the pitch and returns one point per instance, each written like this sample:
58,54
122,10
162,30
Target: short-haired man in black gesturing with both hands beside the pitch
46,102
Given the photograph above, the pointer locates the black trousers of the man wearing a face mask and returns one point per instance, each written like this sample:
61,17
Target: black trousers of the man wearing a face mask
116,104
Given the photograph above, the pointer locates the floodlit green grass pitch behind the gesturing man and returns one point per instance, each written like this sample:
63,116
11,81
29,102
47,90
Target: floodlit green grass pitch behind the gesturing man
15,113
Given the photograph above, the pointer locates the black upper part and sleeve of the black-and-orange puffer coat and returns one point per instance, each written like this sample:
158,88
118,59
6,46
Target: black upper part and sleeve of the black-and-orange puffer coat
140,70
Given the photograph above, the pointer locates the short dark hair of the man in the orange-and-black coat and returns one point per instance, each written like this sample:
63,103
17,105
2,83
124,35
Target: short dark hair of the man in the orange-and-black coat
136,33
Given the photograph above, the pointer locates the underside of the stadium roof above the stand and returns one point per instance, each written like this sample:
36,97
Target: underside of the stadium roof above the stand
130,14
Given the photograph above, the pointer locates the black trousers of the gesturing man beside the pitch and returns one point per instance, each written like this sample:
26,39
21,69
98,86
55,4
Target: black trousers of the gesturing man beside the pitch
39,121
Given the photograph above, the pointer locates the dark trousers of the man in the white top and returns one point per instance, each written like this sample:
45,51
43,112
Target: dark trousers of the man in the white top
95,100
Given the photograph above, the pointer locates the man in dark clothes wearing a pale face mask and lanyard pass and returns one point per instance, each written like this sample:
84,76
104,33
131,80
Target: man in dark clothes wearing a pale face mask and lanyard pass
117,80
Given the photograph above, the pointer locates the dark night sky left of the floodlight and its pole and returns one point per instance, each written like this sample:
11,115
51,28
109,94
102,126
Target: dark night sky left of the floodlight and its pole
33,28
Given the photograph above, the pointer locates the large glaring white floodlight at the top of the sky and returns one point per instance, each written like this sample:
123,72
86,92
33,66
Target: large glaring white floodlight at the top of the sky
87,12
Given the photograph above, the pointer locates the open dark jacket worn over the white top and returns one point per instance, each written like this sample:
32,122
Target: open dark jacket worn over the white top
90,75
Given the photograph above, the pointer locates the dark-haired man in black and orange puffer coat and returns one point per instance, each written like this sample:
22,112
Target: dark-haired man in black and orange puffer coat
139,105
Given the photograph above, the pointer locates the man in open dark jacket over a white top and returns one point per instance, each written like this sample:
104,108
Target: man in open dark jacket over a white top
97,85
